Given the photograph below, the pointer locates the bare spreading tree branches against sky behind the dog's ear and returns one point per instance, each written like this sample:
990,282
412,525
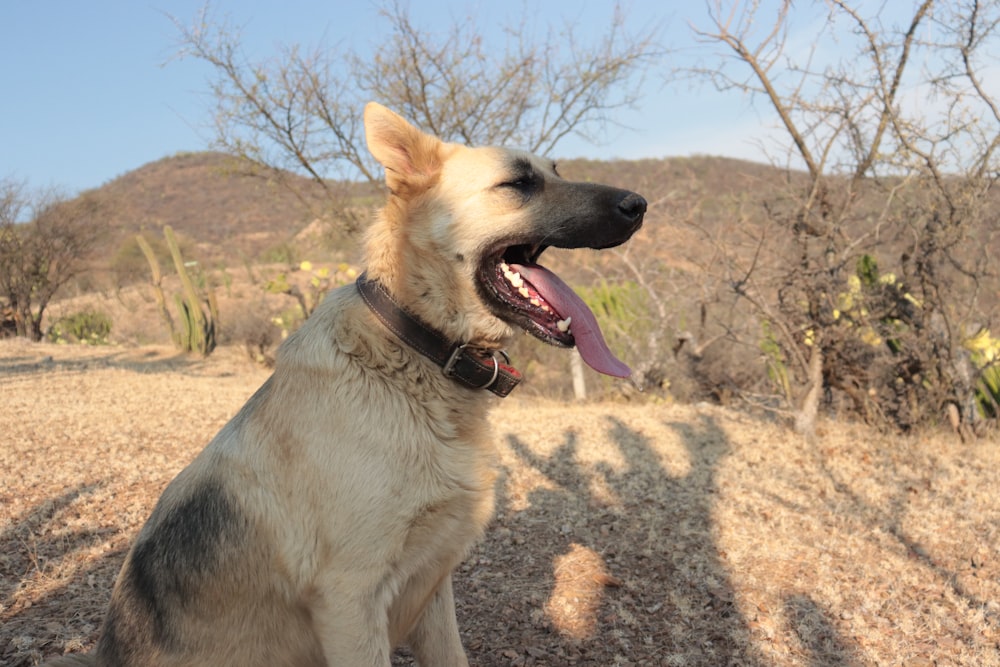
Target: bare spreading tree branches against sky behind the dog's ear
300,110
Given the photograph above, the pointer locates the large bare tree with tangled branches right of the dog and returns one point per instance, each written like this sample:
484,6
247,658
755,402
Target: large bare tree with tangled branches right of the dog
879,260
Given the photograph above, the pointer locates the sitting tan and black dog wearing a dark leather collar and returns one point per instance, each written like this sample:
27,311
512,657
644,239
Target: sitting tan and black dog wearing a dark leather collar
322,524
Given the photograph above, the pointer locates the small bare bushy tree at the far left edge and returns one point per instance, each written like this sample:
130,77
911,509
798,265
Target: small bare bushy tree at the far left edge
40,256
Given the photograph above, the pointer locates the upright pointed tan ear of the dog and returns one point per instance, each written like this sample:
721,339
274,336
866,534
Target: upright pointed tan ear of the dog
411,158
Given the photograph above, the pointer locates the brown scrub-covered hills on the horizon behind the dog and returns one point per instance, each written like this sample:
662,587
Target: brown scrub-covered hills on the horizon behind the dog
228,209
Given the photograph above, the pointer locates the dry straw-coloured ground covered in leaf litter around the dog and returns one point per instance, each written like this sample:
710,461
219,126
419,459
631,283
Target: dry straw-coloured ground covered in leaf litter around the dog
625,534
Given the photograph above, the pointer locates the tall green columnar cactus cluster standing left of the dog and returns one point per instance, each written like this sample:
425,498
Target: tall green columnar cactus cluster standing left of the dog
197,324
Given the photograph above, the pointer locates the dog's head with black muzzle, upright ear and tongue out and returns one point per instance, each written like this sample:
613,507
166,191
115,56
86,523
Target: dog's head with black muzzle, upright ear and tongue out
459,240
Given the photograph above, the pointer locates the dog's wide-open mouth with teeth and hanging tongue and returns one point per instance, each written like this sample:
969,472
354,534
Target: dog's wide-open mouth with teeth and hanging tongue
522,292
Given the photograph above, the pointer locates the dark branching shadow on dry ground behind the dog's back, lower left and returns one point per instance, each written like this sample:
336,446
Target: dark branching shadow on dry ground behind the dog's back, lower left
35,547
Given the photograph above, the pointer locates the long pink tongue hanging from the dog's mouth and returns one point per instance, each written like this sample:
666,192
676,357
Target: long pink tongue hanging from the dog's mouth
586,331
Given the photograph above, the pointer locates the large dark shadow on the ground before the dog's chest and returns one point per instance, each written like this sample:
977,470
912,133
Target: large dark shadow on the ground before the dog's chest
643,573
